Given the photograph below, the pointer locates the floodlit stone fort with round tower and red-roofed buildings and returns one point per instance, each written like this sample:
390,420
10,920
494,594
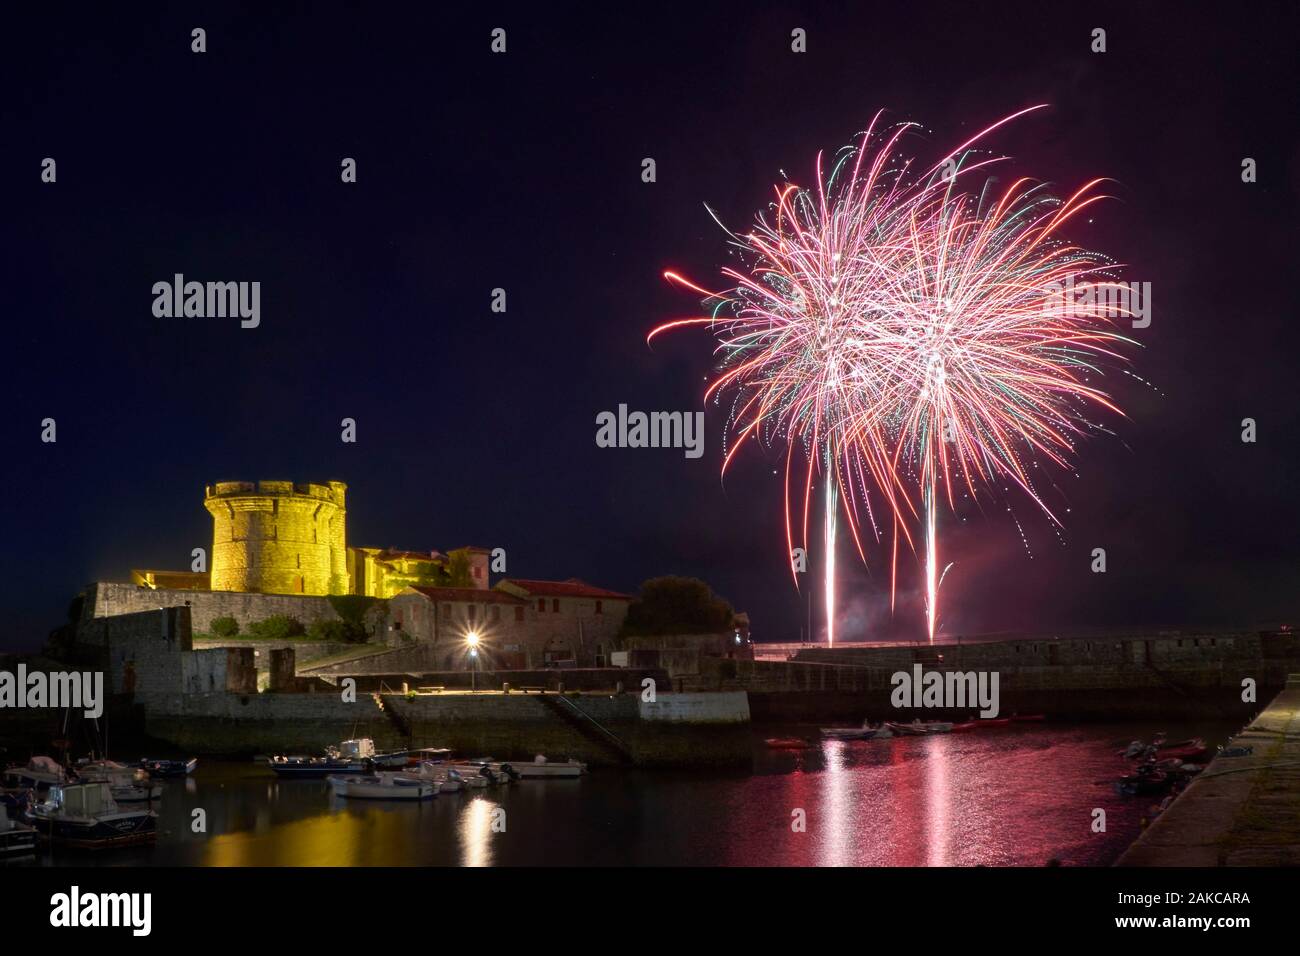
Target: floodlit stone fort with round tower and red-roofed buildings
280,550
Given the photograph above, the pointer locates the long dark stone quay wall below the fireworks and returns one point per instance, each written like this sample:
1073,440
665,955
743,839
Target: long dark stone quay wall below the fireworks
1138,678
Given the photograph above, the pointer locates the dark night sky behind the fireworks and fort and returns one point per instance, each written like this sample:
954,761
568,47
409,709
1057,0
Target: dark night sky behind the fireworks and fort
523,172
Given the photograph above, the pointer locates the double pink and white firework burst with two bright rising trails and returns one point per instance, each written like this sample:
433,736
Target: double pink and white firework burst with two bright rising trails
904,339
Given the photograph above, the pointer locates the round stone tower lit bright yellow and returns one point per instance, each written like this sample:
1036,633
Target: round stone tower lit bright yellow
278,538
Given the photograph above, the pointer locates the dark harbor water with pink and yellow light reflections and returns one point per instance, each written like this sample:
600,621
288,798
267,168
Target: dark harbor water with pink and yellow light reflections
1021,797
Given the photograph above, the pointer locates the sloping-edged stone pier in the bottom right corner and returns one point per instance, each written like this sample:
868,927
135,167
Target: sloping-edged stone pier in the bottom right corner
1241,811
